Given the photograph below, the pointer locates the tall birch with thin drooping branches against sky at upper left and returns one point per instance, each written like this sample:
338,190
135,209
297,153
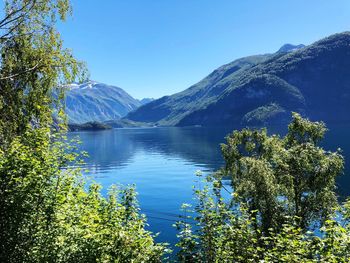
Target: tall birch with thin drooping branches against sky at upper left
33,63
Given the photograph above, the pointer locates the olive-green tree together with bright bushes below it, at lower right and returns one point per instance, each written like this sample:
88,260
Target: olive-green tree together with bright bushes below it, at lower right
282,188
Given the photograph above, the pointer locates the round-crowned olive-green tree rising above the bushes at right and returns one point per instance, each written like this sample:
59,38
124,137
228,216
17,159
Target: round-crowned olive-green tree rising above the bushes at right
278,177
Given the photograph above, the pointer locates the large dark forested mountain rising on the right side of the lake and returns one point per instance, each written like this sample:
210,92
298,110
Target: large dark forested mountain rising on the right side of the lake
262,89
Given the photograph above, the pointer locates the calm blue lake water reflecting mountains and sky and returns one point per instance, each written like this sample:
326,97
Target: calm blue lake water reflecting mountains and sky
162,163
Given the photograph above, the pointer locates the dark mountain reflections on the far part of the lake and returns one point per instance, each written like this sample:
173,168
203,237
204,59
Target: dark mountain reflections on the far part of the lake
116,148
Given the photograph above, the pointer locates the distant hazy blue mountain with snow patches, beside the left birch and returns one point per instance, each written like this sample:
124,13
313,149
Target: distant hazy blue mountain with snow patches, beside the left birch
94,101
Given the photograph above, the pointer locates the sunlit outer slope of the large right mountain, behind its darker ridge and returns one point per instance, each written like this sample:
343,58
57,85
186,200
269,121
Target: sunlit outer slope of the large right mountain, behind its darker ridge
169,110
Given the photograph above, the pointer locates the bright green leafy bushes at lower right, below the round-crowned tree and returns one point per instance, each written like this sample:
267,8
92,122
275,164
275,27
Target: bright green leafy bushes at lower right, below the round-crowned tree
226,232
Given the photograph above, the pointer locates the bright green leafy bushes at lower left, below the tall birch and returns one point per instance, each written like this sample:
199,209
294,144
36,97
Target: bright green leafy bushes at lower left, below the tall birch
47,215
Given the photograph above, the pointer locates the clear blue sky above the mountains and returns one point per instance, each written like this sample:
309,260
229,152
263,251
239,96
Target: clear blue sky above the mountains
152,48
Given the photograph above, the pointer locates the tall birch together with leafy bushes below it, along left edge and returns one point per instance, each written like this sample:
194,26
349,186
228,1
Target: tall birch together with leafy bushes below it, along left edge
47,212
